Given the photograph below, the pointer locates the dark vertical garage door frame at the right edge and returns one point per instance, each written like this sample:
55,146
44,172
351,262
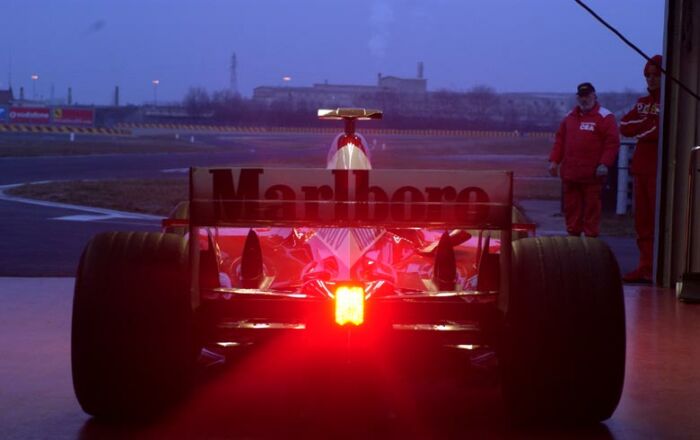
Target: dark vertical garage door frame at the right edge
680,133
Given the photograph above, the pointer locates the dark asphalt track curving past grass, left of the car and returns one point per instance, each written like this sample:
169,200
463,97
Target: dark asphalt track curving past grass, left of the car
40,241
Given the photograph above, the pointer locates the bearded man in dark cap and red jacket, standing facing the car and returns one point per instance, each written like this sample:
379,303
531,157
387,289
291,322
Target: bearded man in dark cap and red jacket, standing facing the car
586,145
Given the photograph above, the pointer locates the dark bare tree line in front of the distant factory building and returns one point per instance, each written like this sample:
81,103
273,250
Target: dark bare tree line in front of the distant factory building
479,108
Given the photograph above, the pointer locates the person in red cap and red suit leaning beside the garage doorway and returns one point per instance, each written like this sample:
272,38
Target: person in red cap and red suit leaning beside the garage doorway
642,122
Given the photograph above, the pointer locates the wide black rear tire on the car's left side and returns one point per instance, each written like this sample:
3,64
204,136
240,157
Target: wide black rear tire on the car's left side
133,348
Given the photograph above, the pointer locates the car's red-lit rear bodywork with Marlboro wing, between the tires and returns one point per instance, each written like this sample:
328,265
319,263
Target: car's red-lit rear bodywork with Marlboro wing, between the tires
273,246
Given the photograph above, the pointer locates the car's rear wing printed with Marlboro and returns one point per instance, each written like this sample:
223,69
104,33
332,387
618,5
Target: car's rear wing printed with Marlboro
247,197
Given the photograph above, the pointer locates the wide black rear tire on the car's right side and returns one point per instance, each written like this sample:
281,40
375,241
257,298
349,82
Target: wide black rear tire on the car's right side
563,347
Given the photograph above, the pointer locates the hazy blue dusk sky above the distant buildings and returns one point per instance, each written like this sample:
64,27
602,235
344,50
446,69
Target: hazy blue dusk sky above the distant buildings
511,45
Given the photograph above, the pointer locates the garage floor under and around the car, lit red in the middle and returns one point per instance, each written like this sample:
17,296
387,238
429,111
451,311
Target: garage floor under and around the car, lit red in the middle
264,397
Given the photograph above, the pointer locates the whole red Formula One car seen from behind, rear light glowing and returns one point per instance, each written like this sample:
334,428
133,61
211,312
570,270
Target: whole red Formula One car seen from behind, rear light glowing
398,259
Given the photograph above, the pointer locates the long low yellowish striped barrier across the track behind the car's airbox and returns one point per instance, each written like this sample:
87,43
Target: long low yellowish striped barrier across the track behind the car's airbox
318,130
